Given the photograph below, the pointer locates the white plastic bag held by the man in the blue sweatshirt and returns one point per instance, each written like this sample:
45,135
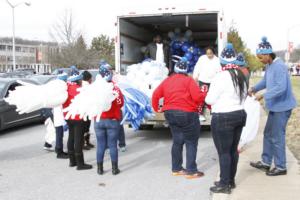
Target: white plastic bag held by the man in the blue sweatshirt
252,108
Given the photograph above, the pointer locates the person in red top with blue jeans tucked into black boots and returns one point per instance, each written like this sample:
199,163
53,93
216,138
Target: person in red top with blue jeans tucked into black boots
107,129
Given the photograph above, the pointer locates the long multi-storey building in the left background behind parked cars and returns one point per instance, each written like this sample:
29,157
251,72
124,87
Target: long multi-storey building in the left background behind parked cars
34,55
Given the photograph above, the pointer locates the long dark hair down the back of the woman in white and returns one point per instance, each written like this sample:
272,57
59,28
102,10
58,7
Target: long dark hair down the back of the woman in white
239,82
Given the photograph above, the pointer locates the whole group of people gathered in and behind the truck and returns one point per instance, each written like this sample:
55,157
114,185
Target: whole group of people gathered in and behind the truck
221,83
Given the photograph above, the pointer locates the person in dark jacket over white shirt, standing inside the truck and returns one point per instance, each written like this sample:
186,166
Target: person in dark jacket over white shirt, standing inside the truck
158,51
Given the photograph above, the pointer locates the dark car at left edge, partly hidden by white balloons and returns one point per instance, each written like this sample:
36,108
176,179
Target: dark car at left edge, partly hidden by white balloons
8,116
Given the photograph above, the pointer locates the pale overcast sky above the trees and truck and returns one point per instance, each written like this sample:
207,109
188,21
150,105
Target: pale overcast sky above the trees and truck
253,19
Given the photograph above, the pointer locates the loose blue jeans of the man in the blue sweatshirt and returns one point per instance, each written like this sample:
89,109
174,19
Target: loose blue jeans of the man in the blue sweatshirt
274,139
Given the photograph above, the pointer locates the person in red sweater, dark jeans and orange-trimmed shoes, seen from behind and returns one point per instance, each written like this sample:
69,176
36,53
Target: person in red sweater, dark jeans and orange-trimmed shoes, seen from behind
181,99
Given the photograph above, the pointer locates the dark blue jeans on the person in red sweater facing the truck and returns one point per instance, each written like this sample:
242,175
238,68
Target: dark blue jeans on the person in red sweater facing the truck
185,129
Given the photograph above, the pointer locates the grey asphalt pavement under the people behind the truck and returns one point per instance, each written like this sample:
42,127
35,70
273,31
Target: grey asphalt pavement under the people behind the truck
27,172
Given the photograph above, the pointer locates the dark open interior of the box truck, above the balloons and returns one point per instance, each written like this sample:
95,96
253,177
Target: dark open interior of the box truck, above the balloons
137,31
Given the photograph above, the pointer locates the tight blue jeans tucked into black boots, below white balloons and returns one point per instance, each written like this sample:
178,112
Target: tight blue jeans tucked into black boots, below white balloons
107,133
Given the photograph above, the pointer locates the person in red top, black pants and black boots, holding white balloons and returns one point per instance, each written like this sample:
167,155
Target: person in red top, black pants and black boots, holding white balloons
76,125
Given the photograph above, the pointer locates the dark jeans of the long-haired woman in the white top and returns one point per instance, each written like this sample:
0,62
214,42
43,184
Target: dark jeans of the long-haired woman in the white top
226,131
